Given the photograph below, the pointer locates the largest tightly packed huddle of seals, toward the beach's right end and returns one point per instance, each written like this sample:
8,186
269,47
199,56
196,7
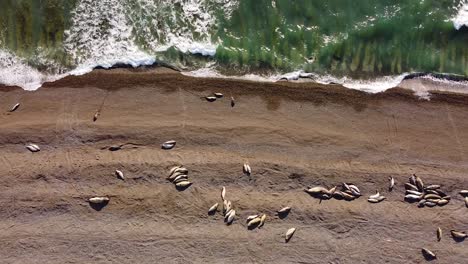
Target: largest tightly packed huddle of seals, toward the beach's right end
429,196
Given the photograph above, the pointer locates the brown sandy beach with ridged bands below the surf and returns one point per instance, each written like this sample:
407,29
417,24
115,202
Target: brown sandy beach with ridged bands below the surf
293,135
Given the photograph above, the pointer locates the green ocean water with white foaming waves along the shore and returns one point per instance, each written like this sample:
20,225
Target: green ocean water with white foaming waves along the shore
370,45
